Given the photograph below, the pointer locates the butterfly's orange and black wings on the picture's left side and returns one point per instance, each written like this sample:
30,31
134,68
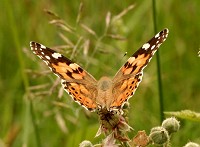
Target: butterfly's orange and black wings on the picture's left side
77,82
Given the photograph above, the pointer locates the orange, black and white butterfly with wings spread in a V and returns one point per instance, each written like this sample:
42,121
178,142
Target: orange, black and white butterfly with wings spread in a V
108,93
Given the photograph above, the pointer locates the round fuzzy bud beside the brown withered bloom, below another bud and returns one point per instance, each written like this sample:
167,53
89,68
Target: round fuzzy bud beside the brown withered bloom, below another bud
159,135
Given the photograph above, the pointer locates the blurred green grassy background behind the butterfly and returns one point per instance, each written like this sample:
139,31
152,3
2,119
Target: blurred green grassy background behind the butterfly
34,112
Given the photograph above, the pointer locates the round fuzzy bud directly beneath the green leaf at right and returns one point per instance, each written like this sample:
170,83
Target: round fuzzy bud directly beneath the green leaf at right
171,125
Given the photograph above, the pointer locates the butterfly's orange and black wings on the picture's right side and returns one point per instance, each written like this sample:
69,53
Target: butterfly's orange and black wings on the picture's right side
130,74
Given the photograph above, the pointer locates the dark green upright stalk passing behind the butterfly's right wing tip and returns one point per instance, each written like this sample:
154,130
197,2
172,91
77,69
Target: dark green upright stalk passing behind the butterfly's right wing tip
160,90
